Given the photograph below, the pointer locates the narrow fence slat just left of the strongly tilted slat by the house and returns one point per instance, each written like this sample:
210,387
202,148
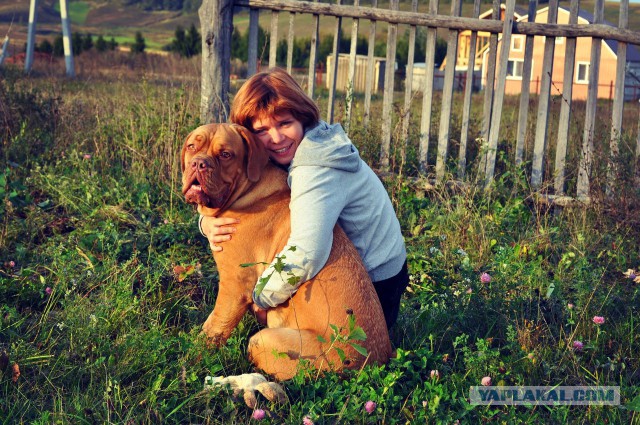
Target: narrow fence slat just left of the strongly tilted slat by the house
489,88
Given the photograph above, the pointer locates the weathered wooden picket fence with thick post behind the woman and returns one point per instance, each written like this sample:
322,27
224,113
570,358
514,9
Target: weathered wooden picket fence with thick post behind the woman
216,18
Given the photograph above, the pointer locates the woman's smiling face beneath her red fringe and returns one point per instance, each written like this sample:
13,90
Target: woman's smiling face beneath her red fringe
281,134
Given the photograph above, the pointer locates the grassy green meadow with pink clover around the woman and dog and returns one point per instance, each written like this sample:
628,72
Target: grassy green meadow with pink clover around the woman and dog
105,280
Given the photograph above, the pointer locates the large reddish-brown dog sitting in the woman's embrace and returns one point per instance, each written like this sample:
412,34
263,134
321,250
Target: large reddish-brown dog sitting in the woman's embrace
227,172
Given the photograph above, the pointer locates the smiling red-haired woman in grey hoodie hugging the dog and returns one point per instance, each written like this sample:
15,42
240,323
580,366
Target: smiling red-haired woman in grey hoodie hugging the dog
329,183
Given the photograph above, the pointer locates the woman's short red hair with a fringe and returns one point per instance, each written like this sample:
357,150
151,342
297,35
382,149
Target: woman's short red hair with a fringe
272,92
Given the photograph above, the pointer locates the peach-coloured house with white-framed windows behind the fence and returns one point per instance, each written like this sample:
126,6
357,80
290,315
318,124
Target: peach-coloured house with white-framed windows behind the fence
606,78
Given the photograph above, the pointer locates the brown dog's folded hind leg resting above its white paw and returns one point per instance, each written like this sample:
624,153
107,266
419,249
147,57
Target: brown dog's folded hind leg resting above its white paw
278,352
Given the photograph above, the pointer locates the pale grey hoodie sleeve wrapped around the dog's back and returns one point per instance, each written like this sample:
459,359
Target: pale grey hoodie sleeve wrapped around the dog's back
316,204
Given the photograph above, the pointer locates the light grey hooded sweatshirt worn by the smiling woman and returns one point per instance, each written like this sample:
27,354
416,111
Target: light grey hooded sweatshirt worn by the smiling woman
331,184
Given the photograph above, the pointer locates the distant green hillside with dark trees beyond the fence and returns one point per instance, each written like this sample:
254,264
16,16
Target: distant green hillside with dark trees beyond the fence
157,20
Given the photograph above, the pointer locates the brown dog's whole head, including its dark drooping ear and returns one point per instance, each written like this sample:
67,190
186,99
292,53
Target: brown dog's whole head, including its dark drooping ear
217,160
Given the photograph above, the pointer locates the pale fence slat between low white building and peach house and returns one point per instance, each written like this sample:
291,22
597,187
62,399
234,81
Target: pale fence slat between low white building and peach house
447,95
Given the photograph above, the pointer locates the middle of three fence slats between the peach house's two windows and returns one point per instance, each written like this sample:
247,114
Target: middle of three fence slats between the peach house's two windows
544,100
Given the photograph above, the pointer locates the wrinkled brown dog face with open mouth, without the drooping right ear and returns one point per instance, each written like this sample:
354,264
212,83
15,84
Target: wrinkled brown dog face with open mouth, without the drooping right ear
212,157
